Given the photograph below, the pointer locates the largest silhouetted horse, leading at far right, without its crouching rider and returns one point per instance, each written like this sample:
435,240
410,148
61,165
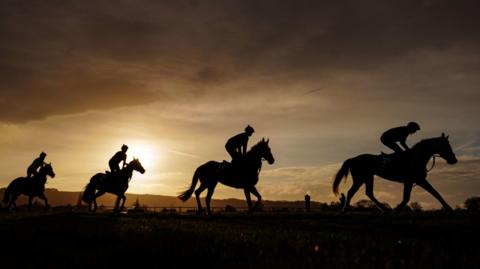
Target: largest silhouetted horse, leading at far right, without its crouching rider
409,168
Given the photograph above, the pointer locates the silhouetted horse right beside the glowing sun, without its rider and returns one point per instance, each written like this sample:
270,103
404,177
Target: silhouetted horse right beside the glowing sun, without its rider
115,183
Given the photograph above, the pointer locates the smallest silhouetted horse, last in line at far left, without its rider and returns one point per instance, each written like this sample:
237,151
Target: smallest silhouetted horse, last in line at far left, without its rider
32,187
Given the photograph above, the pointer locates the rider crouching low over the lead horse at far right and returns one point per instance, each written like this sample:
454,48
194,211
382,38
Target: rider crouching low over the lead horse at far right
399,134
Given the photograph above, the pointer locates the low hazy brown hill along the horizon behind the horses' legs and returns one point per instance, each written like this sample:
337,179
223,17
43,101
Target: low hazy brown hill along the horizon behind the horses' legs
62,198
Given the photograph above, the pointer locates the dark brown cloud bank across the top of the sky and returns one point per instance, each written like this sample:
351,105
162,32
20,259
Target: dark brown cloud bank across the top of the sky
60,57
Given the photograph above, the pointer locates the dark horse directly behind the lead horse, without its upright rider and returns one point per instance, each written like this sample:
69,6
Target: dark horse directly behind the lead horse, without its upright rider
212,172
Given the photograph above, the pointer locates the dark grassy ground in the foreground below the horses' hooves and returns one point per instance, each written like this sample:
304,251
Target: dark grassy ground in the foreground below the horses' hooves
356,240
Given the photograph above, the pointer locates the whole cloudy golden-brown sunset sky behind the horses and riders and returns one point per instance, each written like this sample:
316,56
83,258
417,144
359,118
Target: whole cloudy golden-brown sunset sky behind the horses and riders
175,79
